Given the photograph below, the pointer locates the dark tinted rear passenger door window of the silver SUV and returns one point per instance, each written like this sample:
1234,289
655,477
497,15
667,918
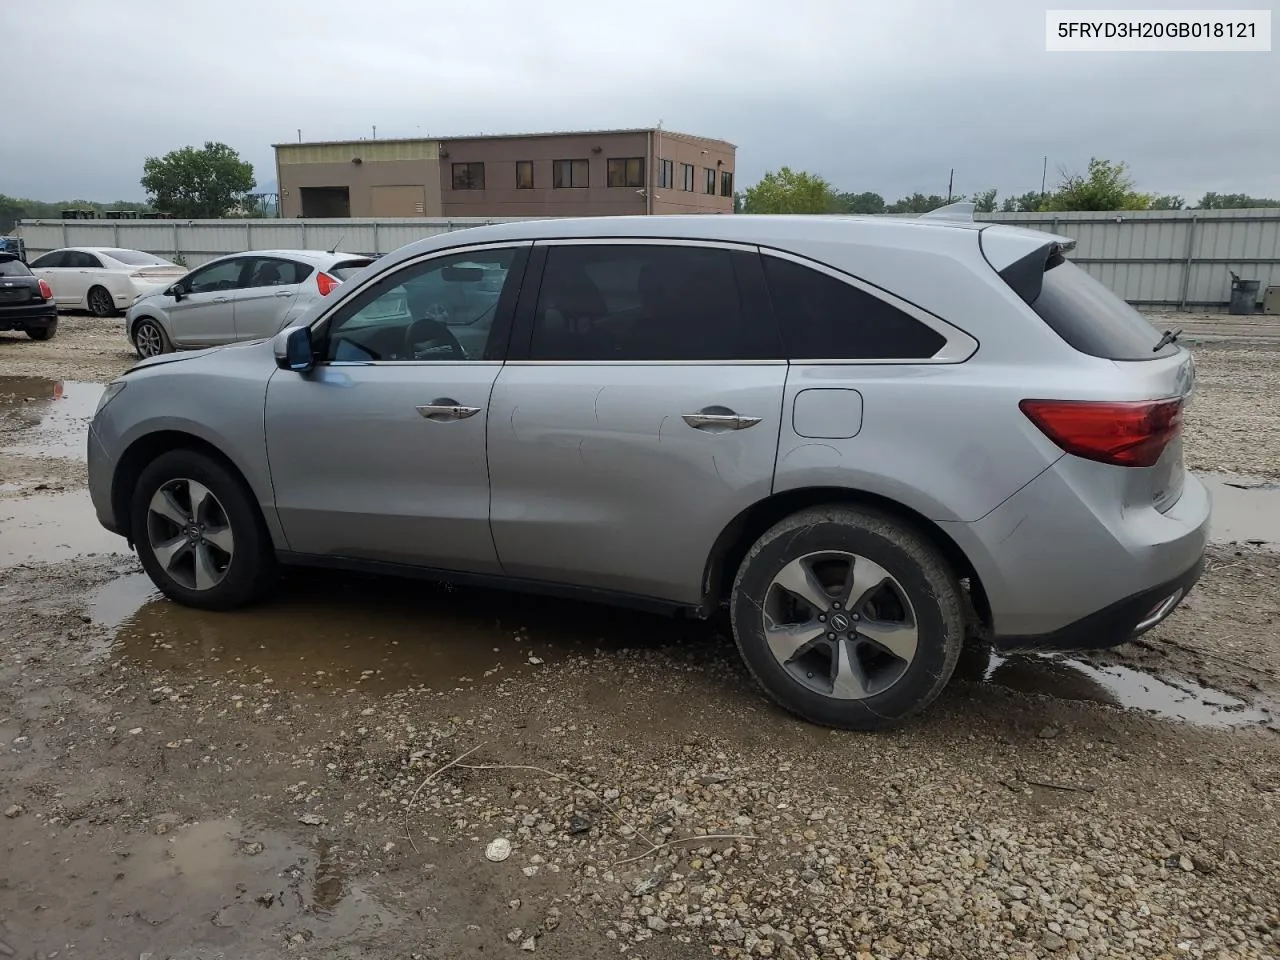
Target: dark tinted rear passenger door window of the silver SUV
644,303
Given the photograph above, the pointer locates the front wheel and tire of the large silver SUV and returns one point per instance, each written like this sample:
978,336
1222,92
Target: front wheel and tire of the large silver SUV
199,533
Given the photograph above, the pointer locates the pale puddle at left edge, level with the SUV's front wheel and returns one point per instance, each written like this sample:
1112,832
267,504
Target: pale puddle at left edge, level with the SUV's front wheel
53,529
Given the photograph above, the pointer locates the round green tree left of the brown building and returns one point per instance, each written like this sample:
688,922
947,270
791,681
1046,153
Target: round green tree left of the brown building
198,184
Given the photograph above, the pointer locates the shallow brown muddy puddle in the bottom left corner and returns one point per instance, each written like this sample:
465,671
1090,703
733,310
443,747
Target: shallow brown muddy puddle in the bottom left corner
217,885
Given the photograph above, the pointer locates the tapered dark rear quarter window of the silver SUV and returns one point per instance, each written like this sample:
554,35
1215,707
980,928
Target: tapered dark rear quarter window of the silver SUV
822,318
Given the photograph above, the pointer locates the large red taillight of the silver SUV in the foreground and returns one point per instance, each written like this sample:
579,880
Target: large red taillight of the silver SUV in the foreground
1127,435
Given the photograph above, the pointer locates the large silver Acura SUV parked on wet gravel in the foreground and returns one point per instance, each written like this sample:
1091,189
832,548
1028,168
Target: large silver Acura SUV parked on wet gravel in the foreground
867,438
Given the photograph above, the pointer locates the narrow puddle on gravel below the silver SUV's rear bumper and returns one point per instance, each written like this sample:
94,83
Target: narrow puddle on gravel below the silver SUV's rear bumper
1069,679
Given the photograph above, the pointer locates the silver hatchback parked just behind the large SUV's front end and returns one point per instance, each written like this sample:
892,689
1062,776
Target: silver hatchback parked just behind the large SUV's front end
236,298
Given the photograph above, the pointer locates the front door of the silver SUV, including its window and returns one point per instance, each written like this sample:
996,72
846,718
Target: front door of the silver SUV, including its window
378,454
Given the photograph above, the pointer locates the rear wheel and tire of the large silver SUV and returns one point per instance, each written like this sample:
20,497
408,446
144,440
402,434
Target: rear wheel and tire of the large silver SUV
848,618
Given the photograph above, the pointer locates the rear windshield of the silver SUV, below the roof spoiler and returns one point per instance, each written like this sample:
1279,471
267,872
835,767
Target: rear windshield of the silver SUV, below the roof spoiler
1094,319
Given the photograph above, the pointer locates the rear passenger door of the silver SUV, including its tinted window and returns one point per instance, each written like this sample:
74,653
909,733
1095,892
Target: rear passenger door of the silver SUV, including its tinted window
637,417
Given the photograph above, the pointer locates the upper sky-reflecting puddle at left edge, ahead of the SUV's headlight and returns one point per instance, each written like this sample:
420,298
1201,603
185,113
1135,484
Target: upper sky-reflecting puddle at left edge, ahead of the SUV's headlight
51,417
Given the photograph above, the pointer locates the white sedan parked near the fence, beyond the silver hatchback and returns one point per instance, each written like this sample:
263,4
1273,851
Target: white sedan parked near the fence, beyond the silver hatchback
103,280
